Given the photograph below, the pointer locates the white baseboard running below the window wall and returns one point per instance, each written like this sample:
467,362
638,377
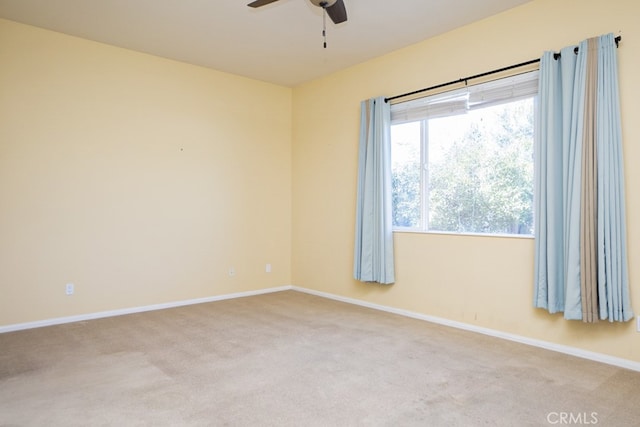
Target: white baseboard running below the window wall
597,357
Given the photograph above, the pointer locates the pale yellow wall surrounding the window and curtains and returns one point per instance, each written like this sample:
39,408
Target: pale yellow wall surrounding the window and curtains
482,281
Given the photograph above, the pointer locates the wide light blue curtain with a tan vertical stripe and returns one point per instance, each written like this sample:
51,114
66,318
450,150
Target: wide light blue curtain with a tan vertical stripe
580,235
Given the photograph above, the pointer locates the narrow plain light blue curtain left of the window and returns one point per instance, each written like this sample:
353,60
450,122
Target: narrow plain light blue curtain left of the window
373,253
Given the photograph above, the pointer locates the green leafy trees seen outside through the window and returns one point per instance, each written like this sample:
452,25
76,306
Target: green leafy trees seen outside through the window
482,182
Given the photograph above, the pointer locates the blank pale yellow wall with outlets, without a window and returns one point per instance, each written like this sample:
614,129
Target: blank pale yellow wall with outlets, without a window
140,180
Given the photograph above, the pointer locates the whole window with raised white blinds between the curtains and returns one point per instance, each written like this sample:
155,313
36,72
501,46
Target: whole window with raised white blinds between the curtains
462,161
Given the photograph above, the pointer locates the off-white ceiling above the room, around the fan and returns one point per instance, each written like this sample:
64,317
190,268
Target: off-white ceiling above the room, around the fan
280,43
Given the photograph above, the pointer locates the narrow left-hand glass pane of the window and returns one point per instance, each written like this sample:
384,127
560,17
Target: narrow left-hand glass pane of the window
406,176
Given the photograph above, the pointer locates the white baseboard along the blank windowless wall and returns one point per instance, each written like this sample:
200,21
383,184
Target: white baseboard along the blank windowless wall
132,310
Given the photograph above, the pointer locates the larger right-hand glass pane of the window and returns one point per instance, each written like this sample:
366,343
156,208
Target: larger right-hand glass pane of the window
481,170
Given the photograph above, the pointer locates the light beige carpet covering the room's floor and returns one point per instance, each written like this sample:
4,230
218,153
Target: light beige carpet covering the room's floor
292,359
